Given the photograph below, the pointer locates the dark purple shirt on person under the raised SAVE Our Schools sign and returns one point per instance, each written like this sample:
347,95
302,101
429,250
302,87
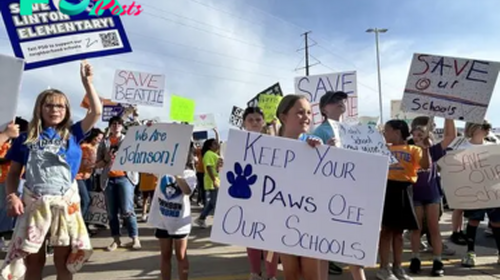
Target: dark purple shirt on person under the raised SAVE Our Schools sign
428,185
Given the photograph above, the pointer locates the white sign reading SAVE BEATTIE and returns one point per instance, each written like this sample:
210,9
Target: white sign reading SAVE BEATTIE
138,88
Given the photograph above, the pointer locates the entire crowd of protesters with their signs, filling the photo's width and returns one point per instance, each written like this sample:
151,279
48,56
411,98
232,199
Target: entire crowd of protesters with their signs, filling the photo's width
64,180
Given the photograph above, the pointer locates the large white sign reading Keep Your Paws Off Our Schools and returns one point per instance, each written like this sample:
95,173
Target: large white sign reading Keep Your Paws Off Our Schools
322,211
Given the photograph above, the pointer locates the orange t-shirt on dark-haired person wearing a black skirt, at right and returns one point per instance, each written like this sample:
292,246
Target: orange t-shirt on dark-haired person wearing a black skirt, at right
408,157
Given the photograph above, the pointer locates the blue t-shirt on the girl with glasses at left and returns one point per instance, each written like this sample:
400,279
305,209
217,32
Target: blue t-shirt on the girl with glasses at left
50,139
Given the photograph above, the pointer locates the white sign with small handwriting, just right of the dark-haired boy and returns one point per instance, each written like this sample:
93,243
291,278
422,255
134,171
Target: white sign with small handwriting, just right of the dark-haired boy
360,137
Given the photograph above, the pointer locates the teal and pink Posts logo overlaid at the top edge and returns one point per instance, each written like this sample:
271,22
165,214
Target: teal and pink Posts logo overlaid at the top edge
75,7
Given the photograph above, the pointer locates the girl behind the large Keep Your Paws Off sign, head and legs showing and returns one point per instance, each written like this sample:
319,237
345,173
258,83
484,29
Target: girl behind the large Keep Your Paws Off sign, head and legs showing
294,113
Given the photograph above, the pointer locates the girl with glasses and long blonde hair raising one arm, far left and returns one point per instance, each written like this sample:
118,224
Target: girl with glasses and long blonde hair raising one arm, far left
50,154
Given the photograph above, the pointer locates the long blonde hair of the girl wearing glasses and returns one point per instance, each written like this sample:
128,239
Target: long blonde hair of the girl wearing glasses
36,124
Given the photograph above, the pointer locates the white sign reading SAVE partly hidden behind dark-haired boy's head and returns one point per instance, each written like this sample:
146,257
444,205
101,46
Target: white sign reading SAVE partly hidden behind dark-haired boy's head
314,87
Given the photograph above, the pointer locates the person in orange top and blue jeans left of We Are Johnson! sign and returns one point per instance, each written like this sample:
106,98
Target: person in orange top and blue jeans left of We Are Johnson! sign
118,187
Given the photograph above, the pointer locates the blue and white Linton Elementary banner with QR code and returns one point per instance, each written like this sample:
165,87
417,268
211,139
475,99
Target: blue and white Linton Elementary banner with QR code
49,37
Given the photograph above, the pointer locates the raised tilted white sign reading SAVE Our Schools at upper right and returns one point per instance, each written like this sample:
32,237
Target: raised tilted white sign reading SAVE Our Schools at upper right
448,87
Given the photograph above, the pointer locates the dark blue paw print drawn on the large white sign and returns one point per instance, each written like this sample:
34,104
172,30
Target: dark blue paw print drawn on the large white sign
240,181
